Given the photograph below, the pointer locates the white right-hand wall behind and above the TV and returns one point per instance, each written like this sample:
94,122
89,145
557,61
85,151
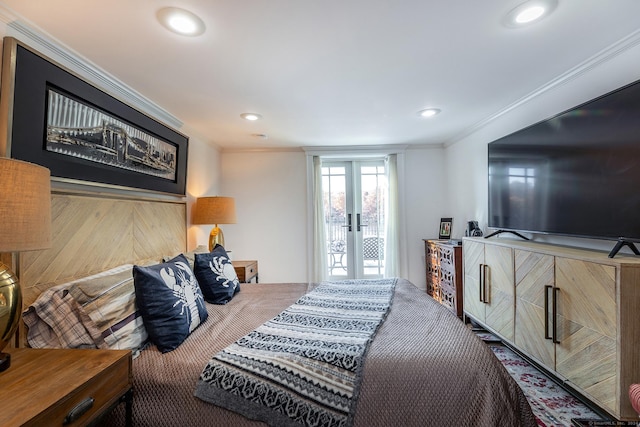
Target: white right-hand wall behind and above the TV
466,160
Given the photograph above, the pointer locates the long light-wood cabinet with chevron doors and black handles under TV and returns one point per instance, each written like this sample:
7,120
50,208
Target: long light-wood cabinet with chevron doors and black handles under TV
571,311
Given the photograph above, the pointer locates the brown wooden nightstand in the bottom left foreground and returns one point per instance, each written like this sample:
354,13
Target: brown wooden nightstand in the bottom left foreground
64,387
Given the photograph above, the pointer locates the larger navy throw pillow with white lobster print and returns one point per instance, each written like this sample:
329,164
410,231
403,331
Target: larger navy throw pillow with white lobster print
170,301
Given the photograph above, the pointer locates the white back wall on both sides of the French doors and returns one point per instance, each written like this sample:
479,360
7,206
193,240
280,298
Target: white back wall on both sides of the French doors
271,203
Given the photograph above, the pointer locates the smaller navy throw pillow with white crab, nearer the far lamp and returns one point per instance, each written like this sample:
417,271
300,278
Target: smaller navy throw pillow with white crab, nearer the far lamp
216,276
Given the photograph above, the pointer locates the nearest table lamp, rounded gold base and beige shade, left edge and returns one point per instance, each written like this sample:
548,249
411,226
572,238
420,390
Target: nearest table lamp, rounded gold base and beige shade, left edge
25,225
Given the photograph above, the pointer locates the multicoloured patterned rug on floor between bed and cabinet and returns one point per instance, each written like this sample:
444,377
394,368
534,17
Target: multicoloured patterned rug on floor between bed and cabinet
552,405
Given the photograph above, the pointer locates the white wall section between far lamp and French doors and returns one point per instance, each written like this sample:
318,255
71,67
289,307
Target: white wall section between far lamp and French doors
270,192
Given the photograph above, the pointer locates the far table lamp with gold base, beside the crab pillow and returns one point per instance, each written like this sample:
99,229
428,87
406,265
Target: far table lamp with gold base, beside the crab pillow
215,210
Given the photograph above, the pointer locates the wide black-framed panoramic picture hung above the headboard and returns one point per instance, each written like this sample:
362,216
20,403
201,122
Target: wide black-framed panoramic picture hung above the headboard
156,163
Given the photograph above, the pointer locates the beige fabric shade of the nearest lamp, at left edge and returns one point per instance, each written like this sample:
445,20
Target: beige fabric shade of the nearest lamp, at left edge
25,206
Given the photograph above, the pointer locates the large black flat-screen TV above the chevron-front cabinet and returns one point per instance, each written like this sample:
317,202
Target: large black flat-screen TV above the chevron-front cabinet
576,174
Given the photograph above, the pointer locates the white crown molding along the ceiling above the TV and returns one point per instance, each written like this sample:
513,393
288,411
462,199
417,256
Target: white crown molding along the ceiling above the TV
605,55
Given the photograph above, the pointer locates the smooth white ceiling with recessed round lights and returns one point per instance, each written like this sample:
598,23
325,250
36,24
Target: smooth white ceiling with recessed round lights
332,73
